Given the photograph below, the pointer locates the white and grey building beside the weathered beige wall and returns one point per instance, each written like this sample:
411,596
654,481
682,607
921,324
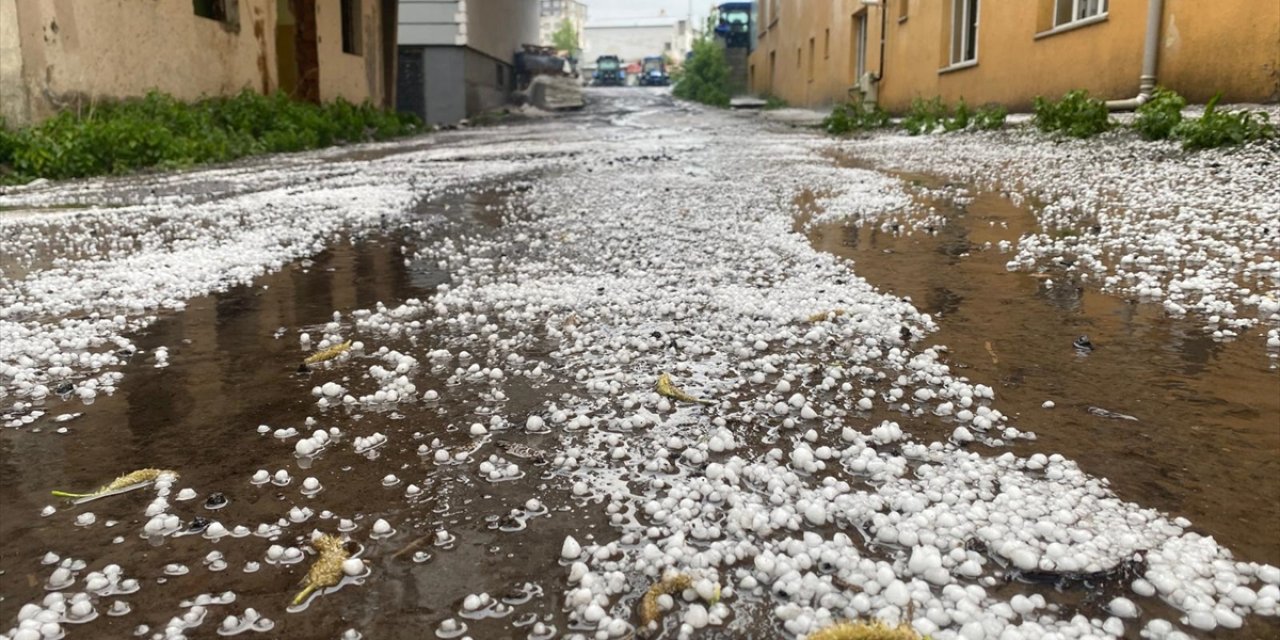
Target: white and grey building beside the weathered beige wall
456,58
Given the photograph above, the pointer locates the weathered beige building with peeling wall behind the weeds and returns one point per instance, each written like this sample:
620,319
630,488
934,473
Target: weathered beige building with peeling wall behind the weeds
60,54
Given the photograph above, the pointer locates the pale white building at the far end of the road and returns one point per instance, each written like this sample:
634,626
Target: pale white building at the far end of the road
634,40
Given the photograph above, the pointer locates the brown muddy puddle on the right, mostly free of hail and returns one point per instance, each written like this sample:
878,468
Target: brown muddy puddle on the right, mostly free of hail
1206,445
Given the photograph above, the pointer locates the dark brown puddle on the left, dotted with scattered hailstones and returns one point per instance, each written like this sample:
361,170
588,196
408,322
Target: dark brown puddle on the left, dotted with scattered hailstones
200,417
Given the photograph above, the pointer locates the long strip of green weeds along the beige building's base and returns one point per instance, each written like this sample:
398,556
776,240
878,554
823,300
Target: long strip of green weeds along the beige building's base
161,131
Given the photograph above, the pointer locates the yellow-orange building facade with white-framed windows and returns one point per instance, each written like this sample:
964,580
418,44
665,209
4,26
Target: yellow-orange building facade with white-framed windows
817,53
